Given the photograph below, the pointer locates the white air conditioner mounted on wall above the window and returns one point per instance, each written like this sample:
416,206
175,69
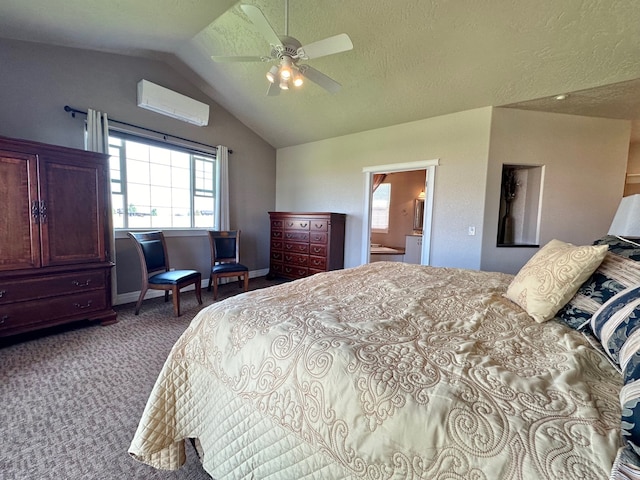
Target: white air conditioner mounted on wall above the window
167,102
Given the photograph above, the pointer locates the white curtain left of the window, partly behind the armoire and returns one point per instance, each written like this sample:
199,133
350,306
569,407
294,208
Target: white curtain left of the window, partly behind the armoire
97,140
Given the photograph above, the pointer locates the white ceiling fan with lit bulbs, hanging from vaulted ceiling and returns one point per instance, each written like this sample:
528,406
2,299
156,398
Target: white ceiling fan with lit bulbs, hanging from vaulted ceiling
287,52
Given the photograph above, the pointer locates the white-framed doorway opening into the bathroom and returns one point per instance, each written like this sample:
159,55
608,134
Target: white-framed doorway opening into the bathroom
407,236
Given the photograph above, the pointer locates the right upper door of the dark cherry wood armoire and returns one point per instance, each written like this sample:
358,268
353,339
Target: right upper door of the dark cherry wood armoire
73,205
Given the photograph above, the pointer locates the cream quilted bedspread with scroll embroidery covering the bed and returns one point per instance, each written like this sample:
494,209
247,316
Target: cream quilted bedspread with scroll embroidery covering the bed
385,371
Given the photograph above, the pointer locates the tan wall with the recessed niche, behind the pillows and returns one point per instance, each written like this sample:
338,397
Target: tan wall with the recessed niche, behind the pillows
584,163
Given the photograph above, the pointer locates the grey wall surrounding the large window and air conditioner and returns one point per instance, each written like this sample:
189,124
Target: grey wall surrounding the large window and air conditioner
37,81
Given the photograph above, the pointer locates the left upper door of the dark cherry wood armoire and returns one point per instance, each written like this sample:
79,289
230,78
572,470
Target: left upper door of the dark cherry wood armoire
19,204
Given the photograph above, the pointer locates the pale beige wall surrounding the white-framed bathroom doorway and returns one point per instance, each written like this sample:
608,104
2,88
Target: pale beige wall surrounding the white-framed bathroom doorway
327,176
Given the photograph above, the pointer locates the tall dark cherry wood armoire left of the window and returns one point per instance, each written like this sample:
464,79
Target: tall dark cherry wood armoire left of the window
54,238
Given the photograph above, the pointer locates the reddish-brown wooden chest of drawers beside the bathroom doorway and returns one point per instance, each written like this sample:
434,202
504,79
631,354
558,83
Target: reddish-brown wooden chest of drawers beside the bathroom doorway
306,243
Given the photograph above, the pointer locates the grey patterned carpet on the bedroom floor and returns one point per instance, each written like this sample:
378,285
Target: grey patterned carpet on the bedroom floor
71,397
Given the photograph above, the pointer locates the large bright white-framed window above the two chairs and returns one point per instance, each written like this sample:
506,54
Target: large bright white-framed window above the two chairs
159,186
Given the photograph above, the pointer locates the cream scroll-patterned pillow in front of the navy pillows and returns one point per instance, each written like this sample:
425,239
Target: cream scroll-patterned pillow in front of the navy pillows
552,276
